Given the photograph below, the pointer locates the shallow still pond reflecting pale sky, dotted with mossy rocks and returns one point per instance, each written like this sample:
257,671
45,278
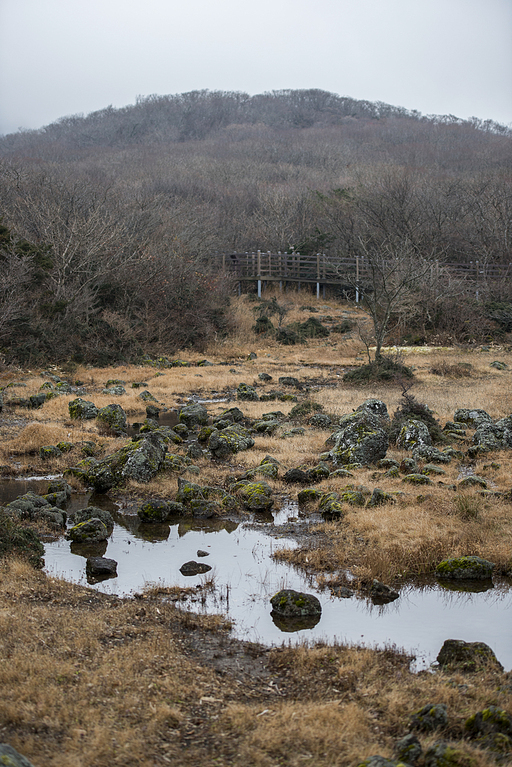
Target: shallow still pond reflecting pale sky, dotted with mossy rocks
245,575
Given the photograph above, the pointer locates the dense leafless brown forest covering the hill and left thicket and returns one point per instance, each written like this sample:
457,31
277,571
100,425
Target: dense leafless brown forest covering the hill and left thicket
109,221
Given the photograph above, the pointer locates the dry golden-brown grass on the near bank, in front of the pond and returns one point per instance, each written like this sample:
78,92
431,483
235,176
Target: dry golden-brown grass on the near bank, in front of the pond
94,681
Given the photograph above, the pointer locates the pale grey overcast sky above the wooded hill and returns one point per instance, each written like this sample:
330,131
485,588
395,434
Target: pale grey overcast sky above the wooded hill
63,57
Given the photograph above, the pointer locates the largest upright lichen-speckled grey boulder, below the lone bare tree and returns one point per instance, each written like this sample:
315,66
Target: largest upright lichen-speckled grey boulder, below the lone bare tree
360,440
